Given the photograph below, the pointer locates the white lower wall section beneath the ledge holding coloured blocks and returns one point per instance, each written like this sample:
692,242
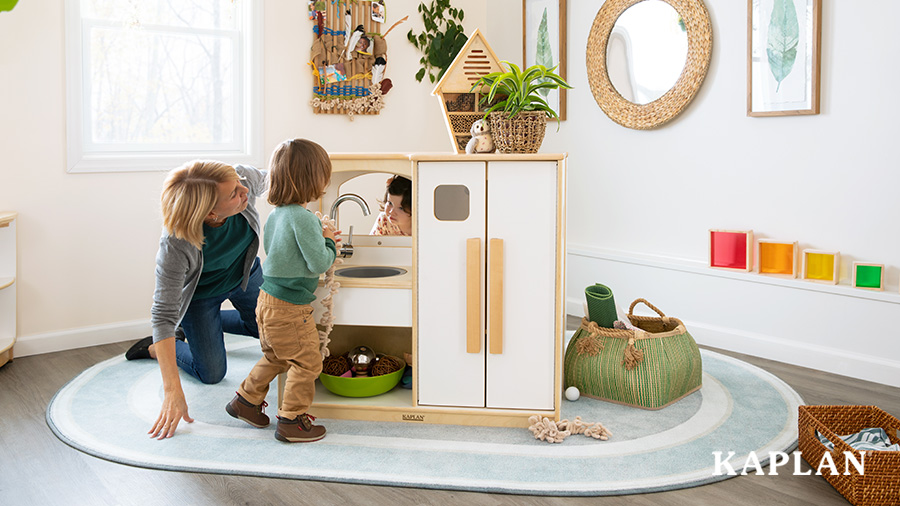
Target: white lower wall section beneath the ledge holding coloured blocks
836,329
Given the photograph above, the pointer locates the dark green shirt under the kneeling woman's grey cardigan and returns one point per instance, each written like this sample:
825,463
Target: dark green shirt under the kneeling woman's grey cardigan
224,249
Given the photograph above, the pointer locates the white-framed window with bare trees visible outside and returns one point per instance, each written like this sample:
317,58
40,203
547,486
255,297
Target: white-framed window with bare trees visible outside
163,76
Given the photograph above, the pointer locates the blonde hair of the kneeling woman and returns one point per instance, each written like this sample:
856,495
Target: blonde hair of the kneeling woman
189,194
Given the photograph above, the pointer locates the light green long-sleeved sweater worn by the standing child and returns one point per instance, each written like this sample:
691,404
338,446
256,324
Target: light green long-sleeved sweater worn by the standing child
296,254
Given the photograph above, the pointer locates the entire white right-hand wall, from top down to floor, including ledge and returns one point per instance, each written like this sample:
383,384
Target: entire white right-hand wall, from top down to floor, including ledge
641,202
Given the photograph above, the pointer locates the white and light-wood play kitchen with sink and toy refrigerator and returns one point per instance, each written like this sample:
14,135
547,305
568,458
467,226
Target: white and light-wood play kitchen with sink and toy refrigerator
473,300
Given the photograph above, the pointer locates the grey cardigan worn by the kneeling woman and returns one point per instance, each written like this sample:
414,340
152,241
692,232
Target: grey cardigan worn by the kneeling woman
179,263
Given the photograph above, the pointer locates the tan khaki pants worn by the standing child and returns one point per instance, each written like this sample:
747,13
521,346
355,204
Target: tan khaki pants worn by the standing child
290,342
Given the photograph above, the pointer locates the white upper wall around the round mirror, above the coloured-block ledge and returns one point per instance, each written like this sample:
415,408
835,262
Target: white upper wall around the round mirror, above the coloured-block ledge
825,180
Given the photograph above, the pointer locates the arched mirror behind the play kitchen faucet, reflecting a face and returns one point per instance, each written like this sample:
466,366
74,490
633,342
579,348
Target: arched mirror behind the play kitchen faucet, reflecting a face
389,200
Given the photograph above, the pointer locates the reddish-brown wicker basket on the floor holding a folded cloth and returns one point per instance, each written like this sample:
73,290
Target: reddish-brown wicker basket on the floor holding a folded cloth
880,483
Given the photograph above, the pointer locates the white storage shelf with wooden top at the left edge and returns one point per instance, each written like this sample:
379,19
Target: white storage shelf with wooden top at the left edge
7,285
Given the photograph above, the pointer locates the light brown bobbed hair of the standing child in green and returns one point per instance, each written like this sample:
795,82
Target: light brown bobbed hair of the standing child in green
299,172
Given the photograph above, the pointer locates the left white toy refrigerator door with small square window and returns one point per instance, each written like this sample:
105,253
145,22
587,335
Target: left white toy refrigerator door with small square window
449,211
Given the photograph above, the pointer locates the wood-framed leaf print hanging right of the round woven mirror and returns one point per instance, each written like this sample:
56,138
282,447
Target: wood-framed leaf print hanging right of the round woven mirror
783,54
